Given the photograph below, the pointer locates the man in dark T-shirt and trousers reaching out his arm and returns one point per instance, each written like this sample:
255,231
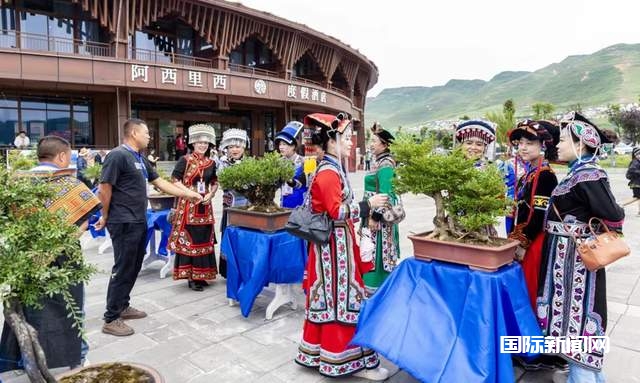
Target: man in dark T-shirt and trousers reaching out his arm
123,193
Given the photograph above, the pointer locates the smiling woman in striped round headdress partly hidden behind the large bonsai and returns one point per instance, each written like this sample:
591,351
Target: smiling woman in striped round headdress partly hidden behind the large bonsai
475,136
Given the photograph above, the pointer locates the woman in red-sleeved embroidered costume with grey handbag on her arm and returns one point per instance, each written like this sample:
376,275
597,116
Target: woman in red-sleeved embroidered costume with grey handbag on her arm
333,278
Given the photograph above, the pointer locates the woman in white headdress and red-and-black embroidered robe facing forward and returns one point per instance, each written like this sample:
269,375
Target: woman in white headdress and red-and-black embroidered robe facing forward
192,237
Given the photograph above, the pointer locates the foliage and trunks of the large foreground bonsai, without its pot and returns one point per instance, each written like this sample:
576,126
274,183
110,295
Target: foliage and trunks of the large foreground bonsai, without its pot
467,199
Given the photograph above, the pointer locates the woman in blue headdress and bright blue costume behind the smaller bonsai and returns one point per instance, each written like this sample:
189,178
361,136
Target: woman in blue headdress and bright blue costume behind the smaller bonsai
293,190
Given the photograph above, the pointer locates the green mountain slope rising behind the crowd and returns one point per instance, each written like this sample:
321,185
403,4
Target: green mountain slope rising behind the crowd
611,75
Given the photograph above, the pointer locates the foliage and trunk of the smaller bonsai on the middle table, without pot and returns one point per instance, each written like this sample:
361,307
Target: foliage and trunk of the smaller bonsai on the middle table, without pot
258,179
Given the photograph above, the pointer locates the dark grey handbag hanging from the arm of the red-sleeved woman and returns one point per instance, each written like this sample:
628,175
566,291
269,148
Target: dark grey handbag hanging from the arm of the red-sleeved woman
312,227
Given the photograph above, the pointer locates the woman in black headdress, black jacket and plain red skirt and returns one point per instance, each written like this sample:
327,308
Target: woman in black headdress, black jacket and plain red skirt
536,143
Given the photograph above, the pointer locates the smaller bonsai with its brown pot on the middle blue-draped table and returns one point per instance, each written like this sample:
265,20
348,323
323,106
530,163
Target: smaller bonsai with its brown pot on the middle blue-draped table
258,179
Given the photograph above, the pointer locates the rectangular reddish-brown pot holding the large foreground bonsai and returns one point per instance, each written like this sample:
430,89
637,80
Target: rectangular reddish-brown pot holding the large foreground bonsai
481,257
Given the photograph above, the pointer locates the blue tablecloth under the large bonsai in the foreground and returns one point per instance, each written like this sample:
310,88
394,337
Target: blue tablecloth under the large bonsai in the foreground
442,322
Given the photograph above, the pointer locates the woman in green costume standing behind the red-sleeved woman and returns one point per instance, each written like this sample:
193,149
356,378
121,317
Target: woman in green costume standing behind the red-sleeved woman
380,180
